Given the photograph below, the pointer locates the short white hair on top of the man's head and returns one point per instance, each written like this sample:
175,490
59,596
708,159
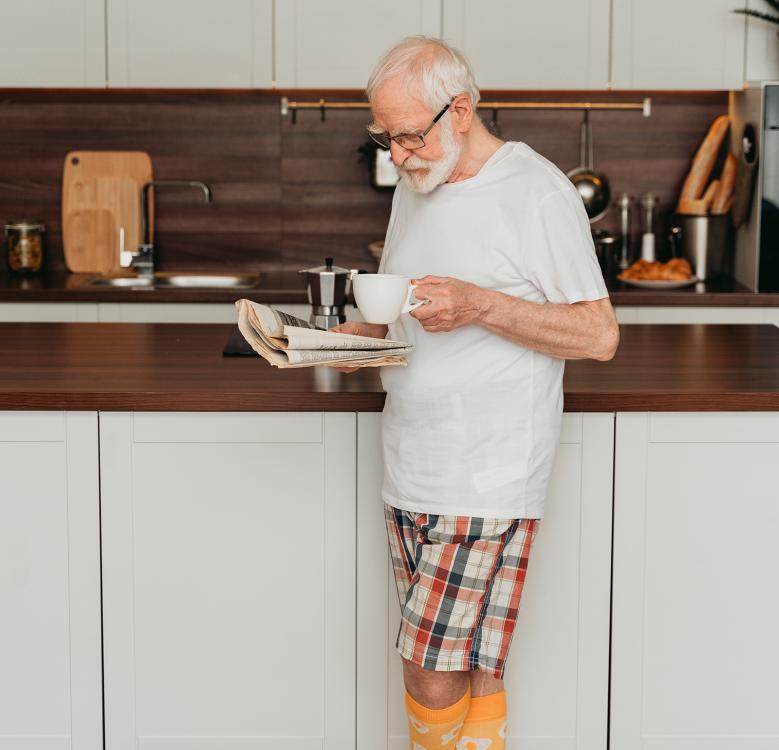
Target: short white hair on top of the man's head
434,71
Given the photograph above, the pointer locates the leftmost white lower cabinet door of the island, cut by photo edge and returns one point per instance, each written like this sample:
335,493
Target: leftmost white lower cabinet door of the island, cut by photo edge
50,671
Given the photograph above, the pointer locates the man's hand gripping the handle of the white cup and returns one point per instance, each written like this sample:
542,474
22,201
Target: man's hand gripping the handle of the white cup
452,303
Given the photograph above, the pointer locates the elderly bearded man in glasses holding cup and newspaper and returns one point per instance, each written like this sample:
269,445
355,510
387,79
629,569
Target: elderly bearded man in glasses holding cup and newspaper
498,244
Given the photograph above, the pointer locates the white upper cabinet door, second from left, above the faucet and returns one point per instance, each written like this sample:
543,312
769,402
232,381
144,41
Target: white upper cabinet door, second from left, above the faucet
190,43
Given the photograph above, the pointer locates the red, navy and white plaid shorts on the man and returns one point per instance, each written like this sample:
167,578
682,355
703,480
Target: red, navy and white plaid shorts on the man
459,583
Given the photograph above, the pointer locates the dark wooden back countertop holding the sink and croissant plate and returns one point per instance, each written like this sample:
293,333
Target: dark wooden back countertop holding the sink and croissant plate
287,286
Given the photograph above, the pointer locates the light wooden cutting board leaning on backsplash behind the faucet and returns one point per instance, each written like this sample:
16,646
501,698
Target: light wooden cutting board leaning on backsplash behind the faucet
101,196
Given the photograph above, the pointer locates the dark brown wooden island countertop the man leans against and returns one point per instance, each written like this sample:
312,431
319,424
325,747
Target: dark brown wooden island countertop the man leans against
165,367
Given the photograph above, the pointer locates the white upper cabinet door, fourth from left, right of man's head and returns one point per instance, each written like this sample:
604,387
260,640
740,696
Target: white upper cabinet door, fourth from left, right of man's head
562,44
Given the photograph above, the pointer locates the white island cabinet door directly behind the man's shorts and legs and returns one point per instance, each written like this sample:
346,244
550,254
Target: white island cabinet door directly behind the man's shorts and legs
557,672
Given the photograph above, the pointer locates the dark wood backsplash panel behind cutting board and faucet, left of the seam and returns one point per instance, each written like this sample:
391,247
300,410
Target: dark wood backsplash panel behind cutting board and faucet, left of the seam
230,141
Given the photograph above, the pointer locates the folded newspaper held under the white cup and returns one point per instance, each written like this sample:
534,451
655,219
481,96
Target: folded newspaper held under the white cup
287,341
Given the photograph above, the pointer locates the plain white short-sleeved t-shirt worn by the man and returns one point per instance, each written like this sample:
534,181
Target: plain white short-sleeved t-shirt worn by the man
471,426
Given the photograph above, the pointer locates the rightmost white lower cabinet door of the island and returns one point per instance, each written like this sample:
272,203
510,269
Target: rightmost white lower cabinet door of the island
695,600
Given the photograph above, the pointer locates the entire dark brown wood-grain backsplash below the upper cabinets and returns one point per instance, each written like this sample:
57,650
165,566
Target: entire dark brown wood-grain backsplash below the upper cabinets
286,195
